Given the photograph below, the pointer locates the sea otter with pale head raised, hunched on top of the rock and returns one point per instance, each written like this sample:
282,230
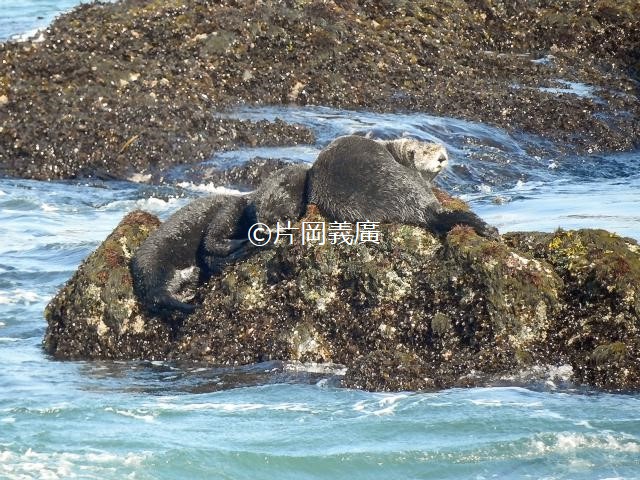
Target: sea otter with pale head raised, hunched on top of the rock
359,179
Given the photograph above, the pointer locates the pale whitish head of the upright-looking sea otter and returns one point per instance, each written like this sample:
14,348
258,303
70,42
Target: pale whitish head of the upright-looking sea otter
428,158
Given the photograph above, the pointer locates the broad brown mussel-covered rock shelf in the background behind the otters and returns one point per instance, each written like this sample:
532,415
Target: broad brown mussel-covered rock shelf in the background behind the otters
114,90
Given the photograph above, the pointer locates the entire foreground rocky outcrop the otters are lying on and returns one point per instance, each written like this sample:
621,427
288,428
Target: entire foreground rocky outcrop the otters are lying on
411,312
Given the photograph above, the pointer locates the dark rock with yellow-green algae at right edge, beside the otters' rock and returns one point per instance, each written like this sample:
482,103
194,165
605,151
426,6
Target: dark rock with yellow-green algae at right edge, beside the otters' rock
598,328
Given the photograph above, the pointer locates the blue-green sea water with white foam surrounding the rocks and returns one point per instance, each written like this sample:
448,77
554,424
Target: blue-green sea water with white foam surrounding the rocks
152,420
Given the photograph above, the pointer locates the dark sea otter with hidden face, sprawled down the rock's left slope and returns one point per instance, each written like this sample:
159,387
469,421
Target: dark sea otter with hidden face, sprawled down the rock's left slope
201,238
